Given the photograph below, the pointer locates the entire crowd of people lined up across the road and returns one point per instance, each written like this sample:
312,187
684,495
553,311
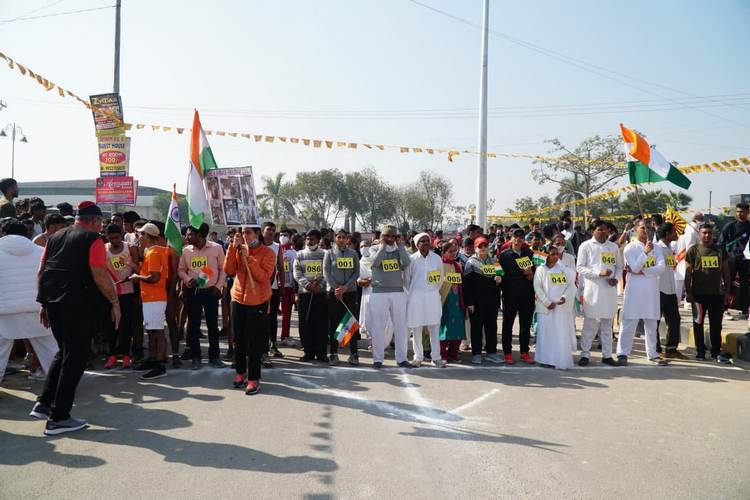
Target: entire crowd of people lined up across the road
77,280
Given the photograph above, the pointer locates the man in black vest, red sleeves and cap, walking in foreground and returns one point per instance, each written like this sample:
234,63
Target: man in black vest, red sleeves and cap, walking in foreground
73,286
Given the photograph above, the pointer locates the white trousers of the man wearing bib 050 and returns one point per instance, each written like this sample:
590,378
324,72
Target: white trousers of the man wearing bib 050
384,307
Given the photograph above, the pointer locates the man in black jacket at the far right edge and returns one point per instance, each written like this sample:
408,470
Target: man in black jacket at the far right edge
733,240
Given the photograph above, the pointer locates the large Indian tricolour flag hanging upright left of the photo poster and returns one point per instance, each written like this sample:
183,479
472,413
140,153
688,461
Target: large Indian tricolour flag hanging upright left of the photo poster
201,161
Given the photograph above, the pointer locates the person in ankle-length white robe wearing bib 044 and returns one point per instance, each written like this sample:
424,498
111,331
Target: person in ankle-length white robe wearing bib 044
554,286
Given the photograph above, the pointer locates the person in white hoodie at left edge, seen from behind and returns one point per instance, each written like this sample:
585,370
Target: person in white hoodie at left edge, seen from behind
19,310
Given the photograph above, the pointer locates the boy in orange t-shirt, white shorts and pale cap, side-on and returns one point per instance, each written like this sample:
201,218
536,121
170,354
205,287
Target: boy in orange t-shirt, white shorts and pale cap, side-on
153,280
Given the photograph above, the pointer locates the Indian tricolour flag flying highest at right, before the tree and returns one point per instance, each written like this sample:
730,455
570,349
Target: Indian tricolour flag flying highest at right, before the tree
646,164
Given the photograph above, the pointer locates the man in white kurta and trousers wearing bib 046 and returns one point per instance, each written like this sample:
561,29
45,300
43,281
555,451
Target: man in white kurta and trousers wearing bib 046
599,265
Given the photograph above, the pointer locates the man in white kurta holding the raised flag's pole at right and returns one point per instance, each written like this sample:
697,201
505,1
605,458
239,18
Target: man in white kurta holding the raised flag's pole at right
643,265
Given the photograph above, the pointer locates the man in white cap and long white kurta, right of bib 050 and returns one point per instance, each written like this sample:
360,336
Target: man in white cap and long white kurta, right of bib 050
424,308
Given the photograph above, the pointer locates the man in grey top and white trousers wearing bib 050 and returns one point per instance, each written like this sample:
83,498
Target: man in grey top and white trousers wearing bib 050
388,299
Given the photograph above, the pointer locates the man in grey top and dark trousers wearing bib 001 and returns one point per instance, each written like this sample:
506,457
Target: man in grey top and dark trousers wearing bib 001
341,271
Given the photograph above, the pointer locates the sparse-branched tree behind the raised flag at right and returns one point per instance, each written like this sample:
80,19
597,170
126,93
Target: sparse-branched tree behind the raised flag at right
583,171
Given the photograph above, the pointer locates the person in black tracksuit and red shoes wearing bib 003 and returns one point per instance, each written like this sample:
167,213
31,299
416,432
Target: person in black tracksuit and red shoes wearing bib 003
518,295
